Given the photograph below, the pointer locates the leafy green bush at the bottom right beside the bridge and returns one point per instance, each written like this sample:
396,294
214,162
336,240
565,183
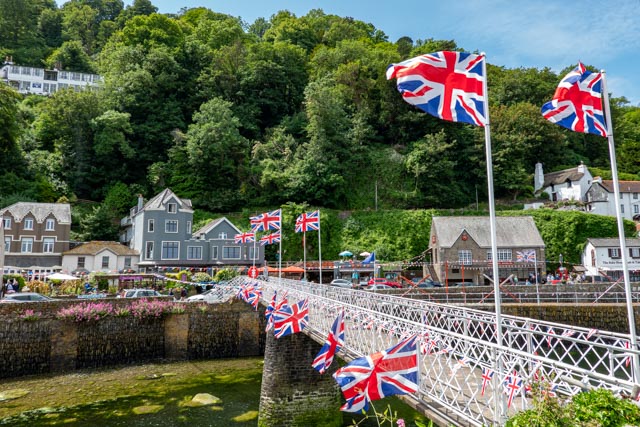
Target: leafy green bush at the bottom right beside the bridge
593,408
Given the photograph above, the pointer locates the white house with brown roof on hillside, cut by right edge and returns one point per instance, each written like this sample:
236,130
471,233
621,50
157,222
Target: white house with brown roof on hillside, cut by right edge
600,198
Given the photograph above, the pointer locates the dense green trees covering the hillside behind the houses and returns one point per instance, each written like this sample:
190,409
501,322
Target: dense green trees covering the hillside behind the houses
285,110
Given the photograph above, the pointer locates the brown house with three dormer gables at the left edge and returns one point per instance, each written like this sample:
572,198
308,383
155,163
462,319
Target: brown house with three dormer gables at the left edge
35,234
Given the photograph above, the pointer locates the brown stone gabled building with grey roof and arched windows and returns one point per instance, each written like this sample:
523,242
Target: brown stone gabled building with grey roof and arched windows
460,248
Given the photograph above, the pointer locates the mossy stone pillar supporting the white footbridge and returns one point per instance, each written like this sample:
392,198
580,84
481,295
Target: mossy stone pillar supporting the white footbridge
293,393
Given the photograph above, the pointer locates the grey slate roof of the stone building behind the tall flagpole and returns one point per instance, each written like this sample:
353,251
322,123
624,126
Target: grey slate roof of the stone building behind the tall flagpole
511,231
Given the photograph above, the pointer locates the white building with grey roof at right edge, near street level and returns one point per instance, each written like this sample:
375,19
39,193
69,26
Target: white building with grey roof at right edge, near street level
602,256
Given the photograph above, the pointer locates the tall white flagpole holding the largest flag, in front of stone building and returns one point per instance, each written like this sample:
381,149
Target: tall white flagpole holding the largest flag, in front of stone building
500,404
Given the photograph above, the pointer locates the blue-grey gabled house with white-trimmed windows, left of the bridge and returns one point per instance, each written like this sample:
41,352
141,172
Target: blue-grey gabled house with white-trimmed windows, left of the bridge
161,231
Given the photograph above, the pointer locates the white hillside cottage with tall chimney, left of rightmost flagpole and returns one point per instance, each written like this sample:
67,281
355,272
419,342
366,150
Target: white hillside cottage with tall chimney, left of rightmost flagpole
568,184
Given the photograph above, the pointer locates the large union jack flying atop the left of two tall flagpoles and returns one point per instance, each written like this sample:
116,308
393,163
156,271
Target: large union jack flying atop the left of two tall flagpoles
448,85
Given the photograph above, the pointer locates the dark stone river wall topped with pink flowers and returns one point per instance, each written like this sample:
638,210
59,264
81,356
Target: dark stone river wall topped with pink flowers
51,345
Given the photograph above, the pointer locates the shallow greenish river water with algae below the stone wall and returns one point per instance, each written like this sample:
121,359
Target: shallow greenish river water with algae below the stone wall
154,394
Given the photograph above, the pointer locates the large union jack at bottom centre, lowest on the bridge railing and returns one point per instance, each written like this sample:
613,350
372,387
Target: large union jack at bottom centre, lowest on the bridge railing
382,374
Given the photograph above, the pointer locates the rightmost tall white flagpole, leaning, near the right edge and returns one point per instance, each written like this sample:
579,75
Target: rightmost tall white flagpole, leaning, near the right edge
623,246
